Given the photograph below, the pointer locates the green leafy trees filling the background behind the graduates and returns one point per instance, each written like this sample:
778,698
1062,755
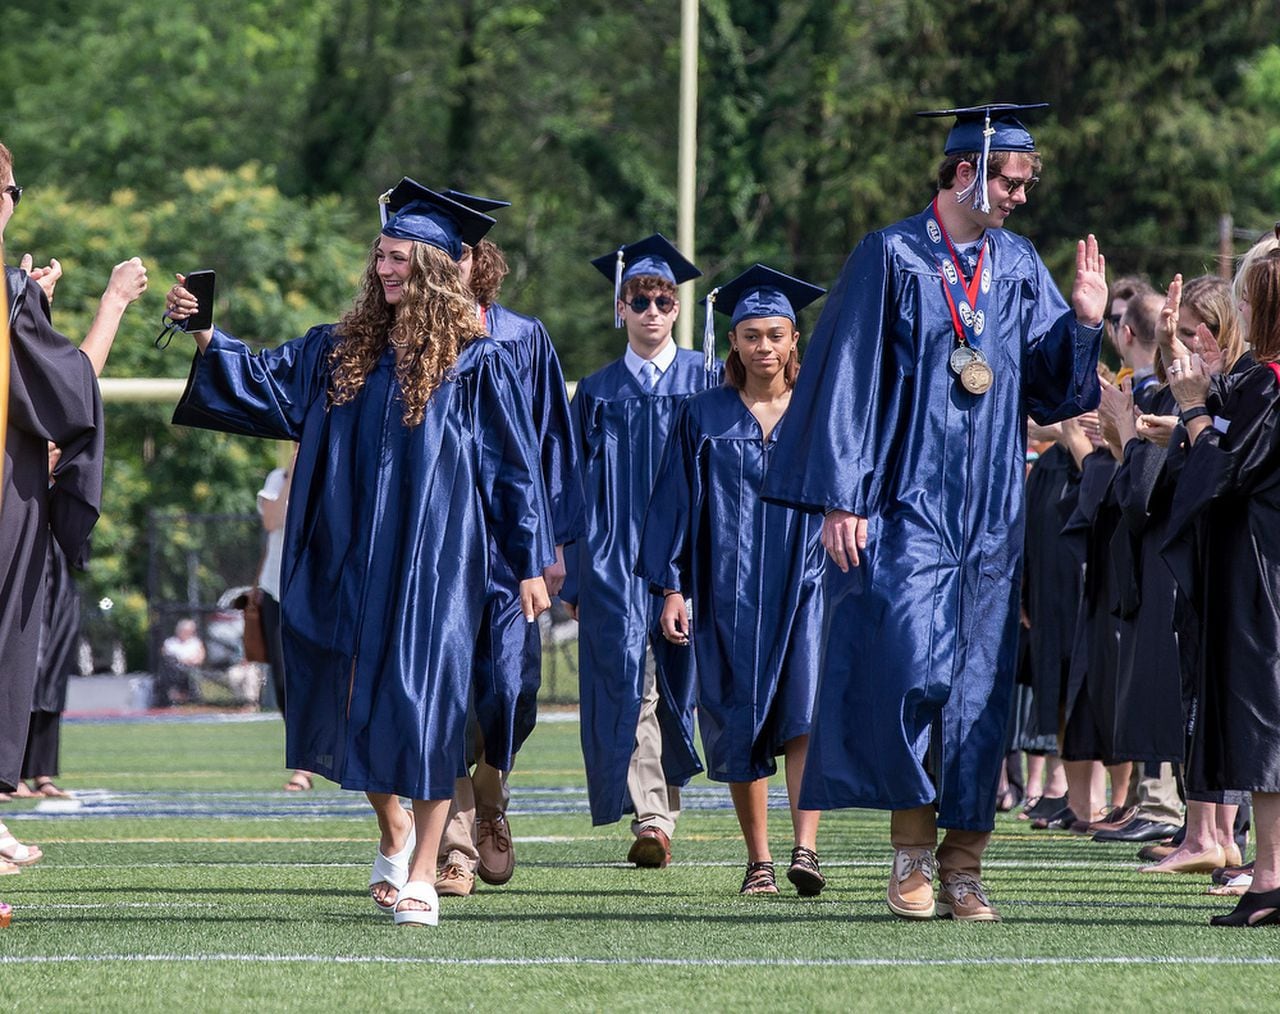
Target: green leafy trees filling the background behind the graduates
253,136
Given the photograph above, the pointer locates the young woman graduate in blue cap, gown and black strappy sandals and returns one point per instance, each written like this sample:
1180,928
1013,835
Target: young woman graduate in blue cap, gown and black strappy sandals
753,570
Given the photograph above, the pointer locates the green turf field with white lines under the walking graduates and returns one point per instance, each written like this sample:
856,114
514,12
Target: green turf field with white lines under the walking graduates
190,880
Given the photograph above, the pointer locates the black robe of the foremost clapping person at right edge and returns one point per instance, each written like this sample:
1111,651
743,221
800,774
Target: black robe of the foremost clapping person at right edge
1226,526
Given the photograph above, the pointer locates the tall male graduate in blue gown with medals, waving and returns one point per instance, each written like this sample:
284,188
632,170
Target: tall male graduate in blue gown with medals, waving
907,430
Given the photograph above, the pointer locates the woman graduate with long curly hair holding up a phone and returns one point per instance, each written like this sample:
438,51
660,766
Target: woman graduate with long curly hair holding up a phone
415,446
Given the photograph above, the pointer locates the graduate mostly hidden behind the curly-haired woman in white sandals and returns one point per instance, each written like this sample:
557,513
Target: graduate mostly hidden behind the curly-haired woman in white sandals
509,656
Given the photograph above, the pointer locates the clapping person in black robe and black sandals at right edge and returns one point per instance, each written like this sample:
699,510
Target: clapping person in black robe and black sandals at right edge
1228,497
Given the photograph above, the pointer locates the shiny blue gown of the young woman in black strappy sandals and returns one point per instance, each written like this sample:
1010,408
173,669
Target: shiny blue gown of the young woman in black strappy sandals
755,574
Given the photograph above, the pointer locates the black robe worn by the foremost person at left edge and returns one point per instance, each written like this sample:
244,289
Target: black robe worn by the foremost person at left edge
53,398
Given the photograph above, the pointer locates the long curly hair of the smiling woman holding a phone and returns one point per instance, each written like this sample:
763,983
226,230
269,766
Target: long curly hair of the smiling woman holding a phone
433,322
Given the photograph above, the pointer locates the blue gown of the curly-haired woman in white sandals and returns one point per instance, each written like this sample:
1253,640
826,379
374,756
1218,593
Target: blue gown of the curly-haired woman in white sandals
386,554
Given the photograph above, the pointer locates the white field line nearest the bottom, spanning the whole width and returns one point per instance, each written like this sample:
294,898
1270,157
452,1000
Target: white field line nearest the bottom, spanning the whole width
1011,962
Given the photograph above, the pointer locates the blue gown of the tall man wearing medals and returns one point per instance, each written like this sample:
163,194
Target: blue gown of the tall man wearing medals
921,640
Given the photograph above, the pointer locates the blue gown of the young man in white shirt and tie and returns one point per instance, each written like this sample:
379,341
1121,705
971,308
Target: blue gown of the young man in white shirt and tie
620,431
